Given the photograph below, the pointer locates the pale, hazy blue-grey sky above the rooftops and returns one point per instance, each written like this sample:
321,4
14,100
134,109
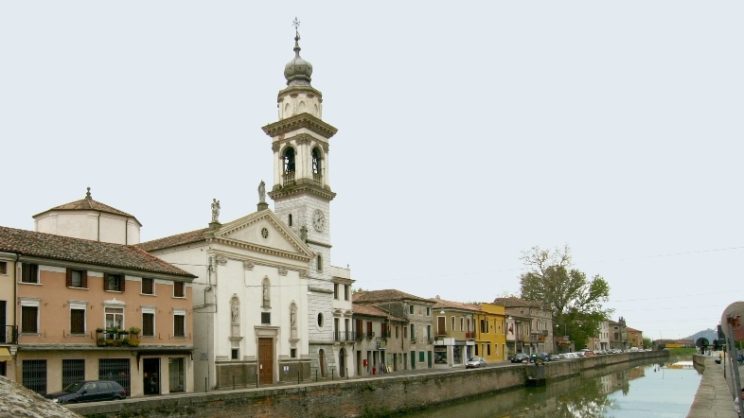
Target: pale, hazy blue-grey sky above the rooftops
469,132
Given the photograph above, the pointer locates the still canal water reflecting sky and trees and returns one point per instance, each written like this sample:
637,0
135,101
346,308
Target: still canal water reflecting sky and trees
622,391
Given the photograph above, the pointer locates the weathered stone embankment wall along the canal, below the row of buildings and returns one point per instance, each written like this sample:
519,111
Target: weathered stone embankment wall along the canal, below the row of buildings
367,397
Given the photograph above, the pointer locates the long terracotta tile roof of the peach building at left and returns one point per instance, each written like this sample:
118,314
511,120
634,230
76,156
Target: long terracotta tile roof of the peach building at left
58,247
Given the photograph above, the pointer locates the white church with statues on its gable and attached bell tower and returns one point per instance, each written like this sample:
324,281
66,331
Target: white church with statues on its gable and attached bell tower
268,306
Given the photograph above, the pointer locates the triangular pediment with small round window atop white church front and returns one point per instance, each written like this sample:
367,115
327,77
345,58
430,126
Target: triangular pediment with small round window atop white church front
264,232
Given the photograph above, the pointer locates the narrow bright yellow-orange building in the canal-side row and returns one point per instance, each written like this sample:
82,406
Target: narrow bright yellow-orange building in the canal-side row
490,332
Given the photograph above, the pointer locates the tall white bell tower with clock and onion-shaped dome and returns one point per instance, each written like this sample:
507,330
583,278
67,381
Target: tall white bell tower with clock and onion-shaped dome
302,193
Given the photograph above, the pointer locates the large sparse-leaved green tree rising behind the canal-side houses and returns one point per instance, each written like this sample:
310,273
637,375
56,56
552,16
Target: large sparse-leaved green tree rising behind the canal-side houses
575,301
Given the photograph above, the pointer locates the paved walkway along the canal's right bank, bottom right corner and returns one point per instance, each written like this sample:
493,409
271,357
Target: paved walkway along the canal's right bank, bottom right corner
713,398
